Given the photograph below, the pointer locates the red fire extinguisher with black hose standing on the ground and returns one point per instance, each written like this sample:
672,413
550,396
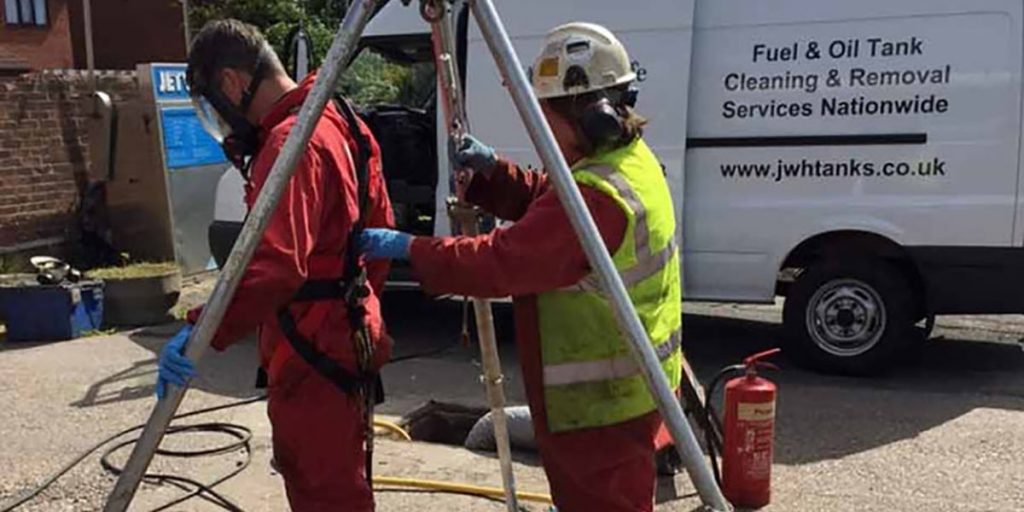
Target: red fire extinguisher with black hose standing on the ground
748,436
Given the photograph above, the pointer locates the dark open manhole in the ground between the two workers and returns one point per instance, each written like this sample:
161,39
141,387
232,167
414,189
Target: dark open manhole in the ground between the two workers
442,423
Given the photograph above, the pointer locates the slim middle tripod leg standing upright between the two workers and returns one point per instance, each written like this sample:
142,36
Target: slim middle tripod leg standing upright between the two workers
439,13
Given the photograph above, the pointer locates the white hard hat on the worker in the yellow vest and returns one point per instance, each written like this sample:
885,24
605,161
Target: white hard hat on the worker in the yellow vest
580,58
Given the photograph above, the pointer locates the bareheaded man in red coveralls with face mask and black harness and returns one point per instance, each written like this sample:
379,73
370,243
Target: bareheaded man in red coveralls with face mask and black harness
293,288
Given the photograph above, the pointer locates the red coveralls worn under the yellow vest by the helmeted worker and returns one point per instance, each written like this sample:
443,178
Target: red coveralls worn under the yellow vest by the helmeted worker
608,470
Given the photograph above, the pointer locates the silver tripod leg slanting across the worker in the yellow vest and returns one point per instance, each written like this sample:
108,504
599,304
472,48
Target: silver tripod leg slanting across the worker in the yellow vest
559,172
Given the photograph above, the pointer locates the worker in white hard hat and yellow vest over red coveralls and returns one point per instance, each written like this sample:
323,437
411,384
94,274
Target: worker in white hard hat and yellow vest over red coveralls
594,419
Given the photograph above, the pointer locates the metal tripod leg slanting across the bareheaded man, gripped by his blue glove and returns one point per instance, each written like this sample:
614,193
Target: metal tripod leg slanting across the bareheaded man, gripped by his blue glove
337,59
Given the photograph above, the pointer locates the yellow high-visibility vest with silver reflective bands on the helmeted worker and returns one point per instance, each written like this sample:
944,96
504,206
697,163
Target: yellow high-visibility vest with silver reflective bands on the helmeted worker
590,378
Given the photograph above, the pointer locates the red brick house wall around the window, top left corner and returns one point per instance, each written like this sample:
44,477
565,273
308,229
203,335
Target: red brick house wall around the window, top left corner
39,48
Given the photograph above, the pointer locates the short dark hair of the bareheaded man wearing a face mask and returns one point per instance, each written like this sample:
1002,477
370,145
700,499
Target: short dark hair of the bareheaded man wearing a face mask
228,45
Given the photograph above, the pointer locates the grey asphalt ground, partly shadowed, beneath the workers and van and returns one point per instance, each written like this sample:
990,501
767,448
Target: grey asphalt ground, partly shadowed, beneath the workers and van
945,434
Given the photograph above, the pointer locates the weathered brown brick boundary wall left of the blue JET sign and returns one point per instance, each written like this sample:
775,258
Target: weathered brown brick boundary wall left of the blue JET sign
45,152
